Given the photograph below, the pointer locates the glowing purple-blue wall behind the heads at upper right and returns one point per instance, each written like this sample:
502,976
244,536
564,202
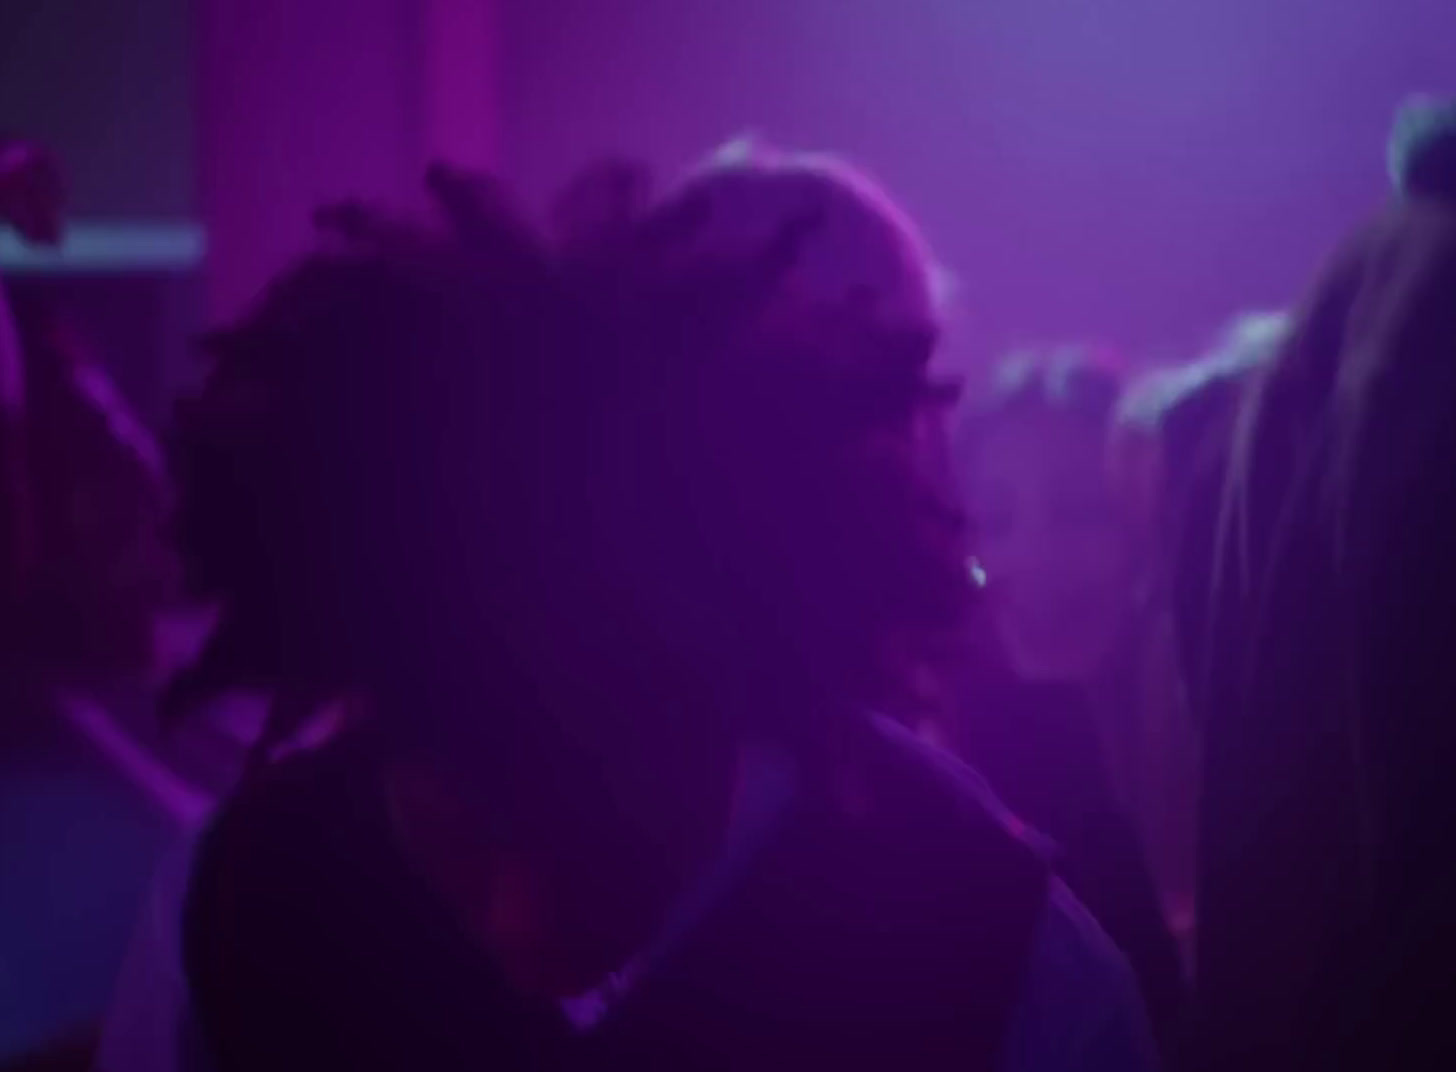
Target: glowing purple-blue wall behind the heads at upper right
1123,171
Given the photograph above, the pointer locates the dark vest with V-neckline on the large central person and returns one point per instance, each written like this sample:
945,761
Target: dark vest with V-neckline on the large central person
896,937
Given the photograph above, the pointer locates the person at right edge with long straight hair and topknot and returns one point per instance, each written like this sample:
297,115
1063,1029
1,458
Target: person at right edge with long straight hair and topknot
1327,687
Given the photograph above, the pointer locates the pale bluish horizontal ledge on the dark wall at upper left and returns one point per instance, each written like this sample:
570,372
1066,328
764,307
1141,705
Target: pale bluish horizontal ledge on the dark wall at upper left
108,248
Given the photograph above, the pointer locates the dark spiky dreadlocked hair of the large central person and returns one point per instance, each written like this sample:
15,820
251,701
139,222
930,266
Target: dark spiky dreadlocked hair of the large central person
601,477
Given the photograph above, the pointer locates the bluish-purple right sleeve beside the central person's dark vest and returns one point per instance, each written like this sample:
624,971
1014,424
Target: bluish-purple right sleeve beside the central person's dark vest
1080,1007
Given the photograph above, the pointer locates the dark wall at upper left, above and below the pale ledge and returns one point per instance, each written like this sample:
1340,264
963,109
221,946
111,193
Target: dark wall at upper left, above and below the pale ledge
108,85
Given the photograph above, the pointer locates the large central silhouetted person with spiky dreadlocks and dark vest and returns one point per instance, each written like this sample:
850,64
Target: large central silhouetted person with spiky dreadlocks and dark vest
605,547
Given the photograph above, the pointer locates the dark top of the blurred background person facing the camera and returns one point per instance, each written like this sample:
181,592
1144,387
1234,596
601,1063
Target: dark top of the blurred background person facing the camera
1042,755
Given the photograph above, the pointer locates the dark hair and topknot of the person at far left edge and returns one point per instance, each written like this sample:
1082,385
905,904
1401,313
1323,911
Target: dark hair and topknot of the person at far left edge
92,545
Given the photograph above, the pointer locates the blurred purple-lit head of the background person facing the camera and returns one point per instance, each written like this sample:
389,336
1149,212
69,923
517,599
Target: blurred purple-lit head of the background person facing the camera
1051,532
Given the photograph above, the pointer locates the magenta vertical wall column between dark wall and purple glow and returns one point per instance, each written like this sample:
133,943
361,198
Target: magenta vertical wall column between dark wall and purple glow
304,103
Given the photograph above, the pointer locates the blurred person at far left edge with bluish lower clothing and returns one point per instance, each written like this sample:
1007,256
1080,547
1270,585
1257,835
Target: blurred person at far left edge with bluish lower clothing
82,576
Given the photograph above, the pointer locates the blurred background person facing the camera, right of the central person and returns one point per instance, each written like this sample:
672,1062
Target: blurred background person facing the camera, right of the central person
1051,701
